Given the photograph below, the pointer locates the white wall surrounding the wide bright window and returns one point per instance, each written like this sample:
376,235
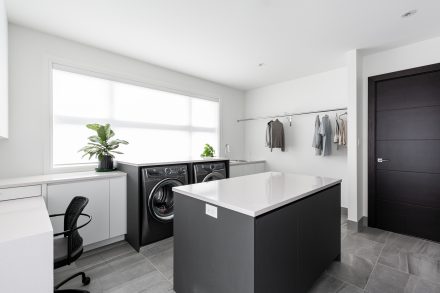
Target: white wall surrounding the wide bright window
26,151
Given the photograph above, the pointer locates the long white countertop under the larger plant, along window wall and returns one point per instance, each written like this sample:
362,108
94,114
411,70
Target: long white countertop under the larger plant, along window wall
58,178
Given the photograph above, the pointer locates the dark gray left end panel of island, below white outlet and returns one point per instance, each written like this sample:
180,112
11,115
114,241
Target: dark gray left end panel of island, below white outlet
214,255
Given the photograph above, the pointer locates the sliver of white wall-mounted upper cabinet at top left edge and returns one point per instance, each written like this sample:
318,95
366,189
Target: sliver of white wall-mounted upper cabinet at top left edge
3,71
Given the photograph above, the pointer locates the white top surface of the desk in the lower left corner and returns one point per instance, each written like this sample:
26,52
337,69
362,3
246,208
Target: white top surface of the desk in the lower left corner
23,217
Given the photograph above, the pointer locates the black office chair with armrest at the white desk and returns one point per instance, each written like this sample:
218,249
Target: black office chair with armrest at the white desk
70,247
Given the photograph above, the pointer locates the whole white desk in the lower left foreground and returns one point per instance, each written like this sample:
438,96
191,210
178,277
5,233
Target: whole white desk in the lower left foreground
26,246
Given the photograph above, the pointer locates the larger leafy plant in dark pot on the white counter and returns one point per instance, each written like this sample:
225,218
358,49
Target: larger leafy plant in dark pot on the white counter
101,147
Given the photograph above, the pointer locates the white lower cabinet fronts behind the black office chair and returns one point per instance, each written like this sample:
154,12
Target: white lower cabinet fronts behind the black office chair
107,206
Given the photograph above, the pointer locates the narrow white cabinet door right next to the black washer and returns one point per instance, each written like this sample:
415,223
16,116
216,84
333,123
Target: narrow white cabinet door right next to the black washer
118,206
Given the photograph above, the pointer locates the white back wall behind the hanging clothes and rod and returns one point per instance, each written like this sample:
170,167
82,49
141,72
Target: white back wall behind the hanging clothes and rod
321,91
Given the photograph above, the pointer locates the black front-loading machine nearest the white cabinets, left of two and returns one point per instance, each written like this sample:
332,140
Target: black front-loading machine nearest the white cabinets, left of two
158,200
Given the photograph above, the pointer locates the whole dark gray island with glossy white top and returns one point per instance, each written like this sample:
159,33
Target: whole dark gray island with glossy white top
267,232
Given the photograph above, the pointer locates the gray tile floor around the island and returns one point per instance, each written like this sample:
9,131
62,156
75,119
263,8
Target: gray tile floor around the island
372,261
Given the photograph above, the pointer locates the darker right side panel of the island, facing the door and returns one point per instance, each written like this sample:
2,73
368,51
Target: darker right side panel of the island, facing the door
294,244
